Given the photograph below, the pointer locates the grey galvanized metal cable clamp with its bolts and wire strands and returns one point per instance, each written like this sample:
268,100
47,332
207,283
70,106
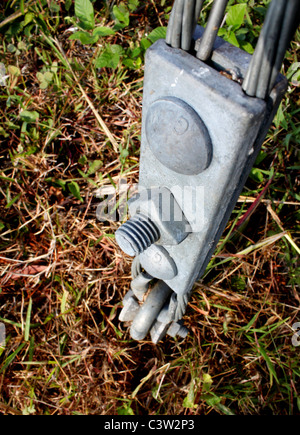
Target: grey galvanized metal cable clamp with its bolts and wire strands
201,134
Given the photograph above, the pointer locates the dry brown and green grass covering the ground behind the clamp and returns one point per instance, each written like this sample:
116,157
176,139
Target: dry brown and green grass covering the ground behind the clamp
70,124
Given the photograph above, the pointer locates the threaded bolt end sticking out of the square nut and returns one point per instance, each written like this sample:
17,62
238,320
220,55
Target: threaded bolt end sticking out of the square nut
136,235
